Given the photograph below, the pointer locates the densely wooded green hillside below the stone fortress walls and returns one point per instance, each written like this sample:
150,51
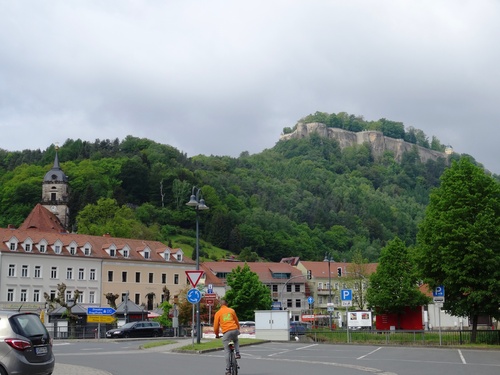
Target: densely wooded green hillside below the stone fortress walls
303,197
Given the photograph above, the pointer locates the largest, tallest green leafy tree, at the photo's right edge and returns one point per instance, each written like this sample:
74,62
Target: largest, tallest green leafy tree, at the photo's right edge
459,241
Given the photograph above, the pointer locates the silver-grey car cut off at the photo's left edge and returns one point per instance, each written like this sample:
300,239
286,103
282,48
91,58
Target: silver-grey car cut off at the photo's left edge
25,344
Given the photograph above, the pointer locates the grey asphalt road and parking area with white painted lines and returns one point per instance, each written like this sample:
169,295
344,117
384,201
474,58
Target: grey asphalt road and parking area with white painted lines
280,358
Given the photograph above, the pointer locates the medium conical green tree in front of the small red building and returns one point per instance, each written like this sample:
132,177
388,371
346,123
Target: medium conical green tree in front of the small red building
394,287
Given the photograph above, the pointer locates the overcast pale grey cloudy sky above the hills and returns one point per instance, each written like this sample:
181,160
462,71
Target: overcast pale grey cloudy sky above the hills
220,77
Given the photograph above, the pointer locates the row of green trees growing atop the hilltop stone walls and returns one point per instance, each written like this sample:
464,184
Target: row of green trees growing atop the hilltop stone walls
393,129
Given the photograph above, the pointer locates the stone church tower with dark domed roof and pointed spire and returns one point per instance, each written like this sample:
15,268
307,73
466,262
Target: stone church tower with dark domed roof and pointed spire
55,192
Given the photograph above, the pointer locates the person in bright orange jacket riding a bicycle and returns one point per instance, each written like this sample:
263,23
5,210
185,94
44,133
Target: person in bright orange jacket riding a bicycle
228,322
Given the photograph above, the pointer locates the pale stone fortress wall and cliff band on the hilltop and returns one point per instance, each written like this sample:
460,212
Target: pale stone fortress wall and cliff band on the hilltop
376,140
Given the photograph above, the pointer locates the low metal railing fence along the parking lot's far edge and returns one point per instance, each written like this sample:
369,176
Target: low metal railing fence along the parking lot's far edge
428,338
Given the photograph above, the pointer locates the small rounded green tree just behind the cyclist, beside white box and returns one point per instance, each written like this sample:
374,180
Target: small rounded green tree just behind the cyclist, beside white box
247,293
